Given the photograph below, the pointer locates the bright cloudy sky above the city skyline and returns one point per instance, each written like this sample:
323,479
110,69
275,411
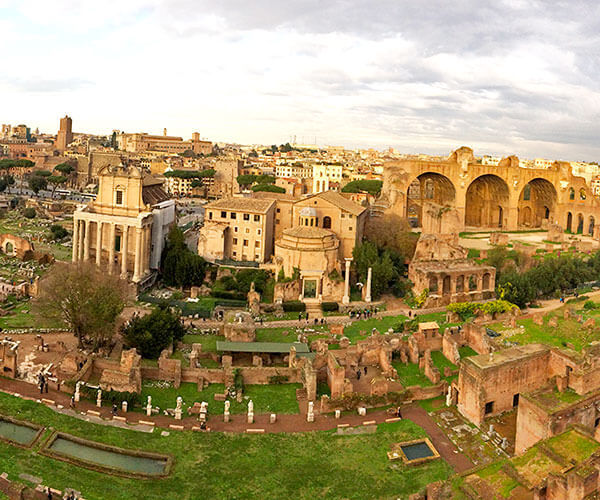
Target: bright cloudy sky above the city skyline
504,76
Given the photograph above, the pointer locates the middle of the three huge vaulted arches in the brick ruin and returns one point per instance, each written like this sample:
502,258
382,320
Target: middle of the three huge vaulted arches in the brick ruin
486,201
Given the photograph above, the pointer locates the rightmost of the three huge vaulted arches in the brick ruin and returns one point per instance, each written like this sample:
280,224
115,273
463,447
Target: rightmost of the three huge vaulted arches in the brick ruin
537,203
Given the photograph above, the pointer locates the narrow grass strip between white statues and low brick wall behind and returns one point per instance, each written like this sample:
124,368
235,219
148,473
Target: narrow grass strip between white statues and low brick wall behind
279,398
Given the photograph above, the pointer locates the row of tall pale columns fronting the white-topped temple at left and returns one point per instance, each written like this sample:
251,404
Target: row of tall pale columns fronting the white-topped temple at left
82,231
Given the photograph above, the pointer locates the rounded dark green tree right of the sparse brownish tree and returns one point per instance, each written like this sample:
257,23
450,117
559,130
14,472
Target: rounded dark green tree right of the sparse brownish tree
154,332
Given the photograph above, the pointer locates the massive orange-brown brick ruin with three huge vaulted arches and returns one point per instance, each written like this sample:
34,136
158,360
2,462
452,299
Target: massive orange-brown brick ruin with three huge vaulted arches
549,192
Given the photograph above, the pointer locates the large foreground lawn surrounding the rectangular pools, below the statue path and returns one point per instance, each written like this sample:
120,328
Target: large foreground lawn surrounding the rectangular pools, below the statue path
218,465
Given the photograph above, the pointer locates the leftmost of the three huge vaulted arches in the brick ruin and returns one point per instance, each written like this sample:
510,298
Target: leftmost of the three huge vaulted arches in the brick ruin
428,187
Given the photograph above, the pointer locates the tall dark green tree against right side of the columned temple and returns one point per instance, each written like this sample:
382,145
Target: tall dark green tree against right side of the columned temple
180,266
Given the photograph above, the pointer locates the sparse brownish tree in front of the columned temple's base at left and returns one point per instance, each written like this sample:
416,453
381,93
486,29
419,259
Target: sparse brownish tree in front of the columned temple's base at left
87,299
